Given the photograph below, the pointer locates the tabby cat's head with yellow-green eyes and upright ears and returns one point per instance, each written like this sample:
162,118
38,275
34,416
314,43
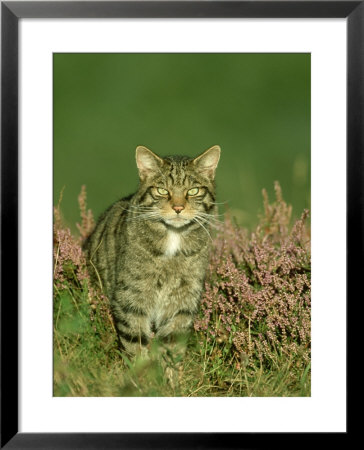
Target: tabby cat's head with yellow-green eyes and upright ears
177,190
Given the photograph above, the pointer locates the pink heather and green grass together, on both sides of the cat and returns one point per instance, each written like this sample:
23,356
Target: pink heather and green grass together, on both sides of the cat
251,336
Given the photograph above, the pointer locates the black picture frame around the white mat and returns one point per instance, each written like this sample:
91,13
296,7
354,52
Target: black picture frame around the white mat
11,12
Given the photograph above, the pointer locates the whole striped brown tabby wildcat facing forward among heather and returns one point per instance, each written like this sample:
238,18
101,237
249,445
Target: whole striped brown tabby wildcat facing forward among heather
149,251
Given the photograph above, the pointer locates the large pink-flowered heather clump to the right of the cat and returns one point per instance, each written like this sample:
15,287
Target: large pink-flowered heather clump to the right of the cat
261,282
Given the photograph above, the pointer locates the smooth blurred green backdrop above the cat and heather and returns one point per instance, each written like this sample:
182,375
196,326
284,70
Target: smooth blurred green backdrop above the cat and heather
255,106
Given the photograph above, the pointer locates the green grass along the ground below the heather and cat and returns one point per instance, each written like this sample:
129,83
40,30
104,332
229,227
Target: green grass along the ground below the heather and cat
87,361
